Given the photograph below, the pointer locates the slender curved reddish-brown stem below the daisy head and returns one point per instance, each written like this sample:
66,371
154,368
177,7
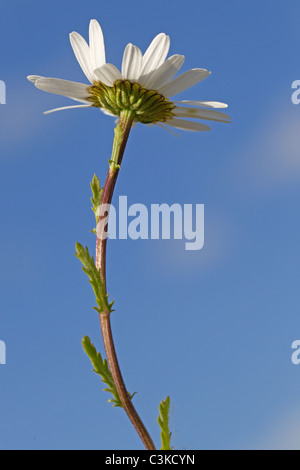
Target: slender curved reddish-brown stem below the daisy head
121,136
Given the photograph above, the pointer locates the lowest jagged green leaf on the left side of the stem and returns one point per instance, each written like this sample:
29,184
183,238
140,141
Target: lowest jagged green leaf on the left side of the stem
101,368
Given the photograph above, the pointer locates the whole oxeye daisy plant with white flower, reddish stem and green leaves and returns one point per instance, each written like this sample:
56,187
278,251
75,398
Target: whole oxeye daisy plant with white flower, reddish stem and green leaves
140,92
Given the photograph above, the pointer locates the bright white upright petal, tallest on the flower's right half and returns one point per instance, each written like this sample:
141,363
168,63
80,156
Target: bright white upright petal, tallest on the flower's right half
156,53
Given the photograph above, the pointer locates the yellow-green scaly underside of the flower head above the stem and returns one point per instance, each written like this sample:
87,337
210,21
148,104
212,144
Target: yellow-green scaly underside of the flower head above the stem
147,106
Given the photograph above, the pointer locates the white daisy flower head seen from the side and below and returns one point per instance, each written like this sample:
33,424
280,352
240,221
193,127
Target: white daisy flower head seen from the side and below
144,85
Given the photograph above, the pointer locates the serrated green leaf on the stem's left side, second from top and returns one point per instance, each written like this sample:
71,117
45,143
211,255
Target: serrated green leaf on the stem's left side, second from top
98,286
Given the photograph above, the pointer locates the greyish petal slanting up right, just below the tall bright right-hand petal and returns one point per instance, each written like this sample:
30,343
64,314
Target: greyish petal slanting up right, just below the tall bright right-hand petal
165,72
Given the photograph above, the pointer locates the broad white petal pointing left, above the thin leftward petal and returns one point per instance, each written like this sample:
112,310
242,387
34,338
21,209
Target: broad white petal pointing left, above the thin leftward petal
63,87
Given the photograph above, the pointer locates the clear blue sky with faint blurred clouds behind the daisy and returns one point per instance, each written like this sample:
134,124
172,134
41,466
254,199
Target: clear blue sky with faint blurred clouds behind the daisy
213,329
